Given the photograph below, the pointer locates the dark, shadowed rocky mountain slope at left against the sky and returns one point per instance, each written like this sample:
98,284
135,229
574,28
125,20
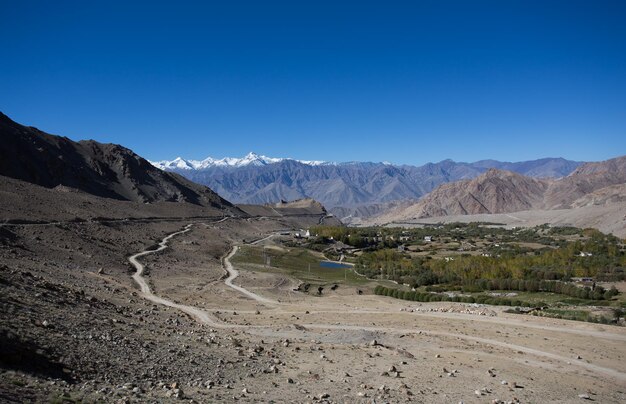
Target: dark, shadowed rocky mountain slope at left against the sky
104,170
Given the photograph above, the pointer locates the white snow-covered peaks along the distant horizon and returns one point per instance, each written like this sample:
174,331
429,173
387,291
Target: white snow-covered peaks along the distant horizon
251,159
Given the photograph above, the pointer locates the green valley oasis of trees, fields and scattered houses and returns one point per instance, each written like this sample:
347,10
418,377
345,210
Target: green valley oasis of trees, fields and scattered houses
560,271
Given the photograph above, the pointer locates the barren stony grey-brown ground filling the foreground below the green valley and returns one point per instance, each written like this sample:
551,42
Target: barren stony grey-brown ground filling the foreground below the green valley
75,327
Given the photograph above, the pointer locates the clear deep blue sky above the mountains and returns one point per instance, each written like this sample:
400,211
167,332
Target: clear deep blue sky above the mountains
405,82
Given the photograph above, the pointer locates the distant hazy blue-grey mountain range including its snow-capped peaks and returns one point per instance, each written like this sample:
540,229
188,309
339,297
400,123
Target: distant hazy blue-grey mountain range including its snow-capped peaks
346,189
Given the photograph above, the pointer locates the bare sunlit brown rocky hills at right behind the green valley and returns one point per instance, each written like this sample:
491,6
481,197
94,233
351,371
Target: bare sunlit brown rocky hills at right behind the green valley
498,191
